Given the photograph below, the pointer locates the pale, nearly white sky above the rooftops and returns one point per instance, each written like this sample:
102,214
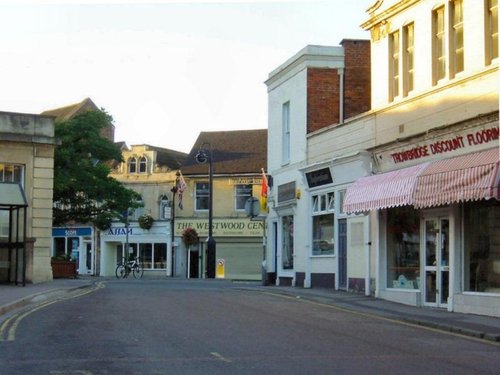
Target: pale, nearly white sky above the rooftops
164,70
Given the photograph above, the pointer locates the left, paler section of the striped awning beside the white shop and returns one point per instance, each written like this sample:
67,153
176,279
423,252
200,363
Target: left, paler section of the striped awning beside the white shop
391,189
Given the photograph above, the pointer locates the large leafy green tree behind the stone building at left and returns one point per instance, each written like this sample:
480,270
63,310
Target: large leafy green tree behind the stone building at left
83,190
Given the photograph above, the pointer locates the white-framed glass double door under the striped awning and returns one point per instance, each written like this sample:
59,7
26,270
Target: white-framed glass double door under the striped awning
436,287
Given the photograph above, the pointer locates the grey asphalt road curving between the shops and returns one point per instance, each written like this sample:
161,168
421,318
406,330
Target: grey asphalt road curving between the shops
218,327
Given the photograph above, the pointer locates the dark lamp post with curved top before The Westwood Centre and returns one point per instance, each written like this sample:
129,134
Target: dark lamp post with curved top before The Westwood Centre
202,157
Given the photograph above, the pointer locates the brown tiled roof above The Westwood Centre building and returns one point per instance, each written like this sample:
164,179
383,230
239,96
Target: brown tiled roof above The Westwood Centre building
233,152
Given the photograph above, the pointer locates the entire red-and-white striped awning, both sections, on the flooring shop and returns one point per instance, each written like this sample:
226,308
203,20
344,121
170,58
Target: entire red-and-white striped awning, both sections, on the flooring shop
463,178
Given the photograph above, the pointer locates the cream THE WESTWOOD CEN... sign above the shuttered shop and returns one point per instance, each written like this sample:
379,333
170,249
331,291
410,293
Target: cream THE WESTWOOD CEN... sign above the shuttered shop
221,227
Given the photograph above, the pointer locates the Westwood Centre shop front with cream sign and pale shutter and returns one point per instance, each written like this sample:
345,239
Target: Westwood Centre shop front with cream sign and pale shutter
239,248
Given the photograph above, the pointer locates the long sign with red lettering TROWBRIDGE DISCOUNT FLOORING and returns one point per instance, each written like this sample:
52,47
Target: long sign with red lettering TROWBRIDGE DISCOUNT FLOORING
466,141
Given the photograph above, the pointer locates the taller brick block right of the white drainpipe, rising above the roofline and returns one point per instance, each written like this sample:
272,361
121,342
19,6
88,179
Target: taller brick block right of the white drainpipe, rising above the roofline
357,88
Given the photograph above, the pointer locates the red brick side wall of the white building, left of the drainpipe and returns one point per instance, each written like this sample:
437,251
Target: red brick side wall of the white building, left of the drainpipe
322,98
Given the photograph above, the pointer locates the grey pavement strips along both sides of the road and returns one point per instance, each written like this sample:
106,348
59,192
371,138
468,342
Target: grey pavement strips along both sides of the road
13,297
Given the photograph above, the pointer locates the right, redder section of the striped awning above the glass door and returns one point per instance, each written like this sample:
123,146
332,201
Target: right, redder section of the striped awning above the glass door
464,178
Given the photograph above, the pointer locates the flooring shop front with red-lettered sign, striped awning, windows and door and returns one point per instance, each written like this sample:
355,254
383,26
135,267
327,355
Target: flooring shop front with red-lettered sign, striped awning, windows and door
437,222
